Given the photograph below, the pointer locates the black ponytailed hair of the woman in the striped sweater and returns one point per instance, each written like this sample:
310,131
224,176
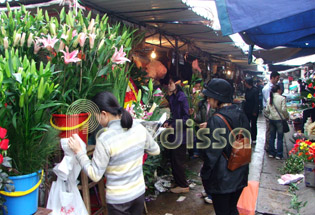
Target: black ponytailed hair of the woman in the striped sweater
106,101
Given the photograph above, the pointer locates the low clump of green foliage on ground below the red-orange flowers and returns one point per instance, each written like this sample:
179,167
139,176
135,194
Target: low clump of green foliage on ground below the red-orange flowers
293,165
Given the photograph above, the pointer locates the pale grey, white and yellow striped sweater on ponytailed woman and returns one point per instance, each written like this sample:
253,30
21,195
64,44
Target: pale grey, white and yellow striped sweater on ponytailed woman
118,153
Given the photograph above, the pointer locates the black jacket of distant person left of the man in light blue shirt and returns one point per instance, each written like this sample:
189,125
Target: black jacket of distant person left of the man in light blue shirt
251,104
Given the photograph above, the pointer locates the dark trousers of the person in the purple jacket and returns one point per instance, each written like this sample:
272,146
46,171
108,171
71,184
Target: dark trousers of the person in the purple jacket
178,157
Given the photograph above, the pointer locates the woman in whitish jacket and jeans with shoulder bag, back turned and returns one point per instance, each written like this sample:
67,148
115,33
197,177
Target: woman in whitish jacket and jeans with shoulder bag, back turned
276,103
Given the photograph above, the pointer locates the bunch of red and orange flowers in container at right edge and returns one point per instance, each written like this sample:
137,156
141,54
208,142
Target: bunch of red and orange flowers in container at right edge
305,149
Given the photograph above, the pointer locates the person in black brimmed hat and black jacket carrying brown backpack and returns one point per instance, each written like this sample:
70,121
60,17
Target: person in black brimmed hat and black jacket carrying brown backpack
225,186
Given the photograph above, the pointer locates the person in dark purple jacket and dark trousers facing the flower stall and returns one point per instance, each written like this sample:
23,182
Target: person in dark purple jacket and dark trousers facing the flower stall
179,109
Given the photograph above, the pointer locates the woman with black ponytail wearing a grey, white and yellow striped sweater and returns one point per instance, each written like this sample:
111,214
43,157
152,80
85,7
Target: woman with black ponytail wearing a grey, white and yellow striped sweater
118,152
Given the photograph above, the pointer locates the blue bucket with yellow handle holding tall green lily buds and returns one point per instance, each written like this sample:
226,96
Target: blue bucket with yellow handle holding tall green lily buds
26,95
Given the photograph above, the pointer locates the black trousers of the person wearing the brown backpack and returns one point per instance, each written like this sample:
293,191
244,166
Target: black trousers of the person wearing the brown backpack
226,204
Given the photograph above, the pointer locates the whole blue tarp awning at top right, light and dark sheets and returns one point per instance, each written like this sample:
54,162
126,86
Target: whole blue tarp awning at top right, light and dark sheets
269,23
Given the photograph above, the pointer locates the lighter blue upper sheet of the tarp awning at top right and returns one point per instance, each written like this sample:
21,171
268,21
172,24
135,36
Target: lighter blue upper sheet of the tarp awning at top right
240,15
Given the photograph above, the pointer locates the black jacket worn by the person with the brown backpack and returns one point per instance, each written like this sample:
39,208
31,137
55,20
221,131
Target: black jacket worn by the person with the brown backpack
216,177
